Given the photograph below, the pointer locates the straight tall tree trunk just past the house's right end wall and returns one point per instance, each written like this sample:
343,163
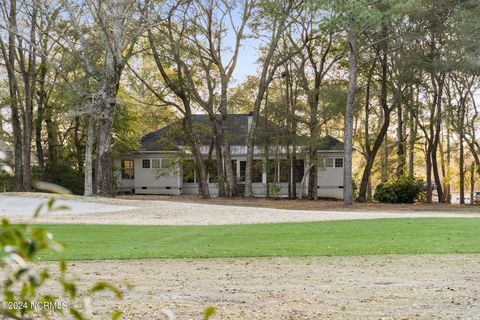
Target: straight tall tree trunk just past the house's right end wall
348,120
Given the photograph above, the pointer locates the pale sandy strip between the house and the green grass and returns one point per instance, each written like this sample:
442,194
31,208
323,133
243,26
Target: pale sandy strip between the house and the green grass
159,212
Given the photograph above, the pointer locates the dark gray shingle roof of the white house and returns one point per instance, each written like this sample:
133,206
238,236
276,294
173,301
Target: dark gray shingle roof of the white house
170,137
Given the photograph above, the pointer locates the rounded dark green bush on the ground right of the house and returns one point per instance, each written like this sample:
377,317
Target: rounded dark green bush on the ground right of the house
403,190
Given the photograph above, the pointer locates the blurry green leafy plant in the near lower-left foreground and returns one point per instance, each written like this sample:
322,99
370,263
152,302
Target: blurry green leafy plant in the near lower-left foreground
23,289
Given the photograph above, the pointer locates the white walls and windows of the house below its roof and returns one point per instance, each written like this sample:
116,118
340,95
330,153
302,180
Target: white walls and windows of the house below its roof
166,173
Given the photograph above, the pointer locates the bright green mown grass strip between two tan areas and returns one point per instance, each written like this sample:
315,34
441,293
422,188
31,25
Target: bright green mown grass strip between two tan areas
364,237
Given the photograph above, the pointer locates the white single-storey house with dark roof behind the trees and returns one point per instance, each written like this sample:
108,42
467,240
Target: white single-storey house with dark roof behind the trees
164,164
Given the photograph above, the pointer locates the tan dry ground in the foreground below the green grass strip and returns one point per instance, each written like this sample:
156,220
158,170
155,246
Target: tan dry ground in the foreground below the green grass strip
364,287
